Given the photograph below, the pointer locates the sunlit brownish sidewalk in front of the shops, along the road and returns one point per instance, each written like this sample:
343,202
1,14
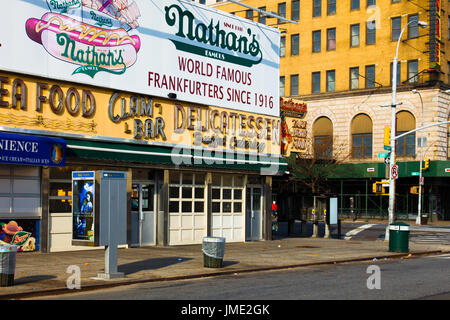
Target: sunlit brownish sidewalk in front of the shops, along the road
39,273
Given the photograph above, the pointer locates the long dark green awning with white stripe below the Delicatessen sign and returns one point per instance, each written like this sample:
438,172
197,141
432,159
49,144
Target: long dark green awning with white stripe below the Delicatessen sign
267,164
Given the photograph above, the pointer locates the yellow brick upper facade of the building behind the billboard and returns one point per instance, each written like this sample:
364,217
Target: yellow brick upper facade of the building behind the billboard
349,45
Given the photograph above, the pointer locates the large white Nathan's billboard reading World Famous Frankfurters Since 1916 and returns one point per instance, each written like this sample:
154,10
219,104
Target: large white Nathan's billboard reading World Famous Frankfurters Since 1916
156,47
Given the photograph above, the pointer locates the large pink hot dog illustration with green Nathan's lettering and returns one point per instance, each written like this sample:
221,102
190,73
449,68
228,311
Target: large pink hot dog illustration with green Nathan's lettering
91,47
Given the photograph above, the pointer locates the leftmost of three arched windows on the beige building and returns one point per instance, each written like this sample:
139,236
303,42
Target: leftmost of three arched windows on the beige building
323,138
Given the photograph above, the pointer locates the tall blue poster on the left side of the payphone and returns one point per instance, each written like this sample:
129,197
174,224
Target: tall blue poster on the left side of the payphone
83,209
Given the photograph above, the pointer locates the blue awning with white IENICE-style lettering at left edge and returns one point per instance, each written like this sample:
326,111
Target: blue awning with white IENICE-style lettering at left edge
32,150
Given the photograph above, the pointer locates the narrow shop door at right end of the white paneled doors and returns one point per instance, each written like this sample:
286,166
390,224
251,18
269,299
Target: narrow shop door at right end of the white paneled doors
253,213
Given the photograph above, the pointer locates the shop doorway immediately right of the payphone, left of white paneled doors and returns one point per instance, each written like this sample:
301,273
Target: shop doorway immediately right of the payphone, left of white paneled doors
143,218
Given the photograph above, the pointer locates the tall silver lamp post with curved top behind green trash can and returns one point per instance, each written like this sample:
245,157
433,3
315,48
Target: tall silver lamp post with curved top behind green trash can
392,161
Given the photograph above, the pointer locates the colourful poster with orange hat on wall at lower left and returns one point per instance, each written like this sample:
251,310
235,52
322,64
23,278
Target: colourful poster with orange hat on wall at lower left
24,233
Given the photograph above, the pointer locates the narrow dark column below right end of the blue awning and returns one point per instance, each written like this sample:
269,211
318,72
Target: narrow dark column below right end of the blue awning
44,227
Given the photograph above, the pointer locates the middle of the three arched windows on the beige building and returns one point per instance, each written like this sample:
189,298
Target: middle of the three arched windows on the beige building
361,130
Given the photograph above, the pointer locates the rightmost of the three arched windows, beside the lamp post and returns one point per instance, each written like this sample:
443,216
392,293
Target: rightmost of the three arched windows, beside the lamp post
406,145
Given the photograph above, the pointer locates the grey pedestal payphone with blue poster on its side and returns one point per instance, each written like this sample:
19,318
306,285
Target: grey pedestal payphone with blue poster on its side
99,213
